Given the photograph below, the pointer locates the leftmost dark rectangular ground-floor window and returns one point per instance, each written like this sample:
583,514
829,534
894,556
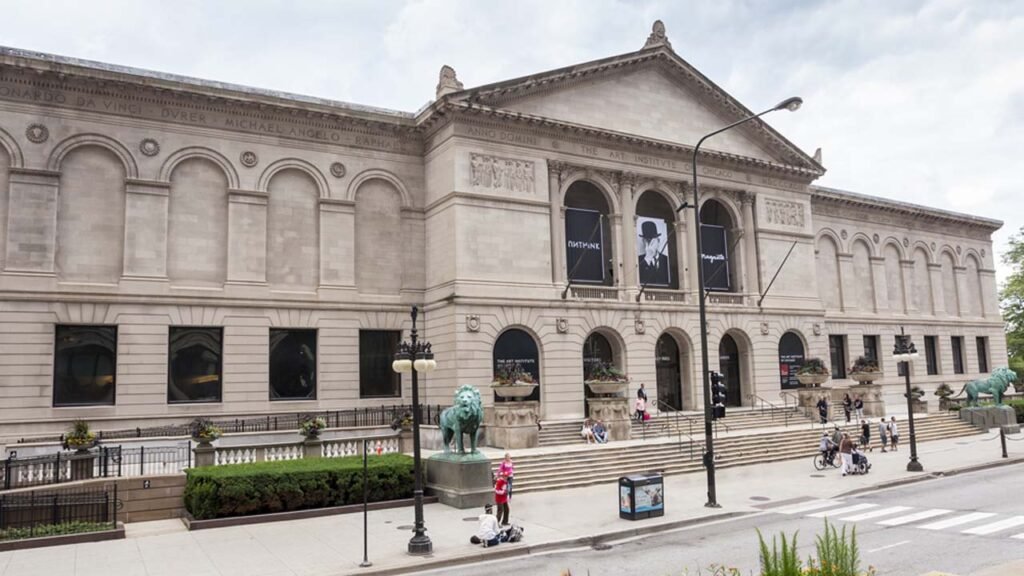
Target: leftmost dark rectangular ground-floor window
86,364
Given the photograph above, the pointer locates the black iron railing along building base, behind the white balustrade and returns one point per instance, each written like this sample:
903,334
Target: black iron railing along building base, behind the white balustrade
354,418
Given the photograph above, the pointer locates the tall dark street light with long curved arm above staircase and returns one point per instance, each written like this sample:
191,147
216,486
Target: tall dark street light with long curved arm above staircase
792,105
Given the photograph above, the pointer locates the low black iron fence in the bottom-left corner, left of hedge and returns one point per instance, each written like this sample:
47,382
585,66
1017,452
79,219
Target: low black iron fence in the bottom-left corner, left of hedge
26,515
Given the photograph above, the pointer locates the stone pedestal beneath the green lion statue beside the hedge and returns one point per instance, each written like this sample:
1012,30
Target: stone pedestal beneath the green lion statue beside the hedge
461,481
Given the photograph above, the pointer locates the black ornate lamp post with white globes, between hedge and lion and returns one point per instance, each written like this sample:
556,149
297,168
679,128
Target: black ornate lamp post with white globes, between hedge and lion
416,357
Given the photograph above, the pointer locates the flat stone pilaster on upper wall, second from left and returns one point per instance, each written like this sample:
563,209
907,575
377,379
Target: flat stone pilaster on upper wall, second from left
146,229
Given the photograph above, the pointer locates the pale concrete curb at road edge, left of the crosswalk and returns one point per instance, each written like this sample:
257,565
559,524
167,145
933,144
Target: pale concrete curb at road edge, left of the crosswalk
515,552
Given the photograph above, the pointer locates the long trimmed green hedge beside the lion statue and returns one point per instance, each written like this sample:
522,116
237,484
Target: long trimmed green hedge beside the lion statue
294,485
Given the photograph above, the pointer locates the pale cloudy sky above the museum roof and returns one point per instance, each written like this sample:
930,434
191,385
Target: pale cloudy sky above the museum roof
921,101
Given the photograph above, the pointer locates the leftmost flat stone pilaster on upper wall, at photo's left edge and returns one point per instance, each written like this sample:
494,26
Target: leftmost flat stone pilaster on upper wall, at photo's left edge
32,221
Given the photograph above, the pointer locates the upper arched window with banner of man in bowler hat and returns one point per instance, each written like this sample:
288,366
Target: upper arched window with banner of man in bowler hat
657,248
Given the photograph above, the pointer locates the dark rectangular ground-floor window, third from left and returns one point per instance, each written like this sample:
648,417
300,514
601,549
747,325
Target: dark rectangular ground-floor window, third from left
293,364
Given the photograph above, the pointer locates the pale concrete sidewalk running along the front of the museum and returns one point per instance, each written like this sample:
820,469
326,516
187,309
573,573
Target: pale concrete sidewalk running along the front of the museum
563,519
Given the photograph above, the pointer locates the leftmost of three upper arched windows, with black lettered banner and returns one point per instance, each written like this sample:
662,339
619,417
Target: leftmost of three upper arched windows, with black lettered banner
588,236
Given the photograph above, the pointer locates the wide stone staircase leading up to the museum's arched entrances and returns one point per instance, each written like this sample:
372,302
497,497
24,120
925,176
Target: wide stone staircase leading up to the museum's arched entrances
588,465
